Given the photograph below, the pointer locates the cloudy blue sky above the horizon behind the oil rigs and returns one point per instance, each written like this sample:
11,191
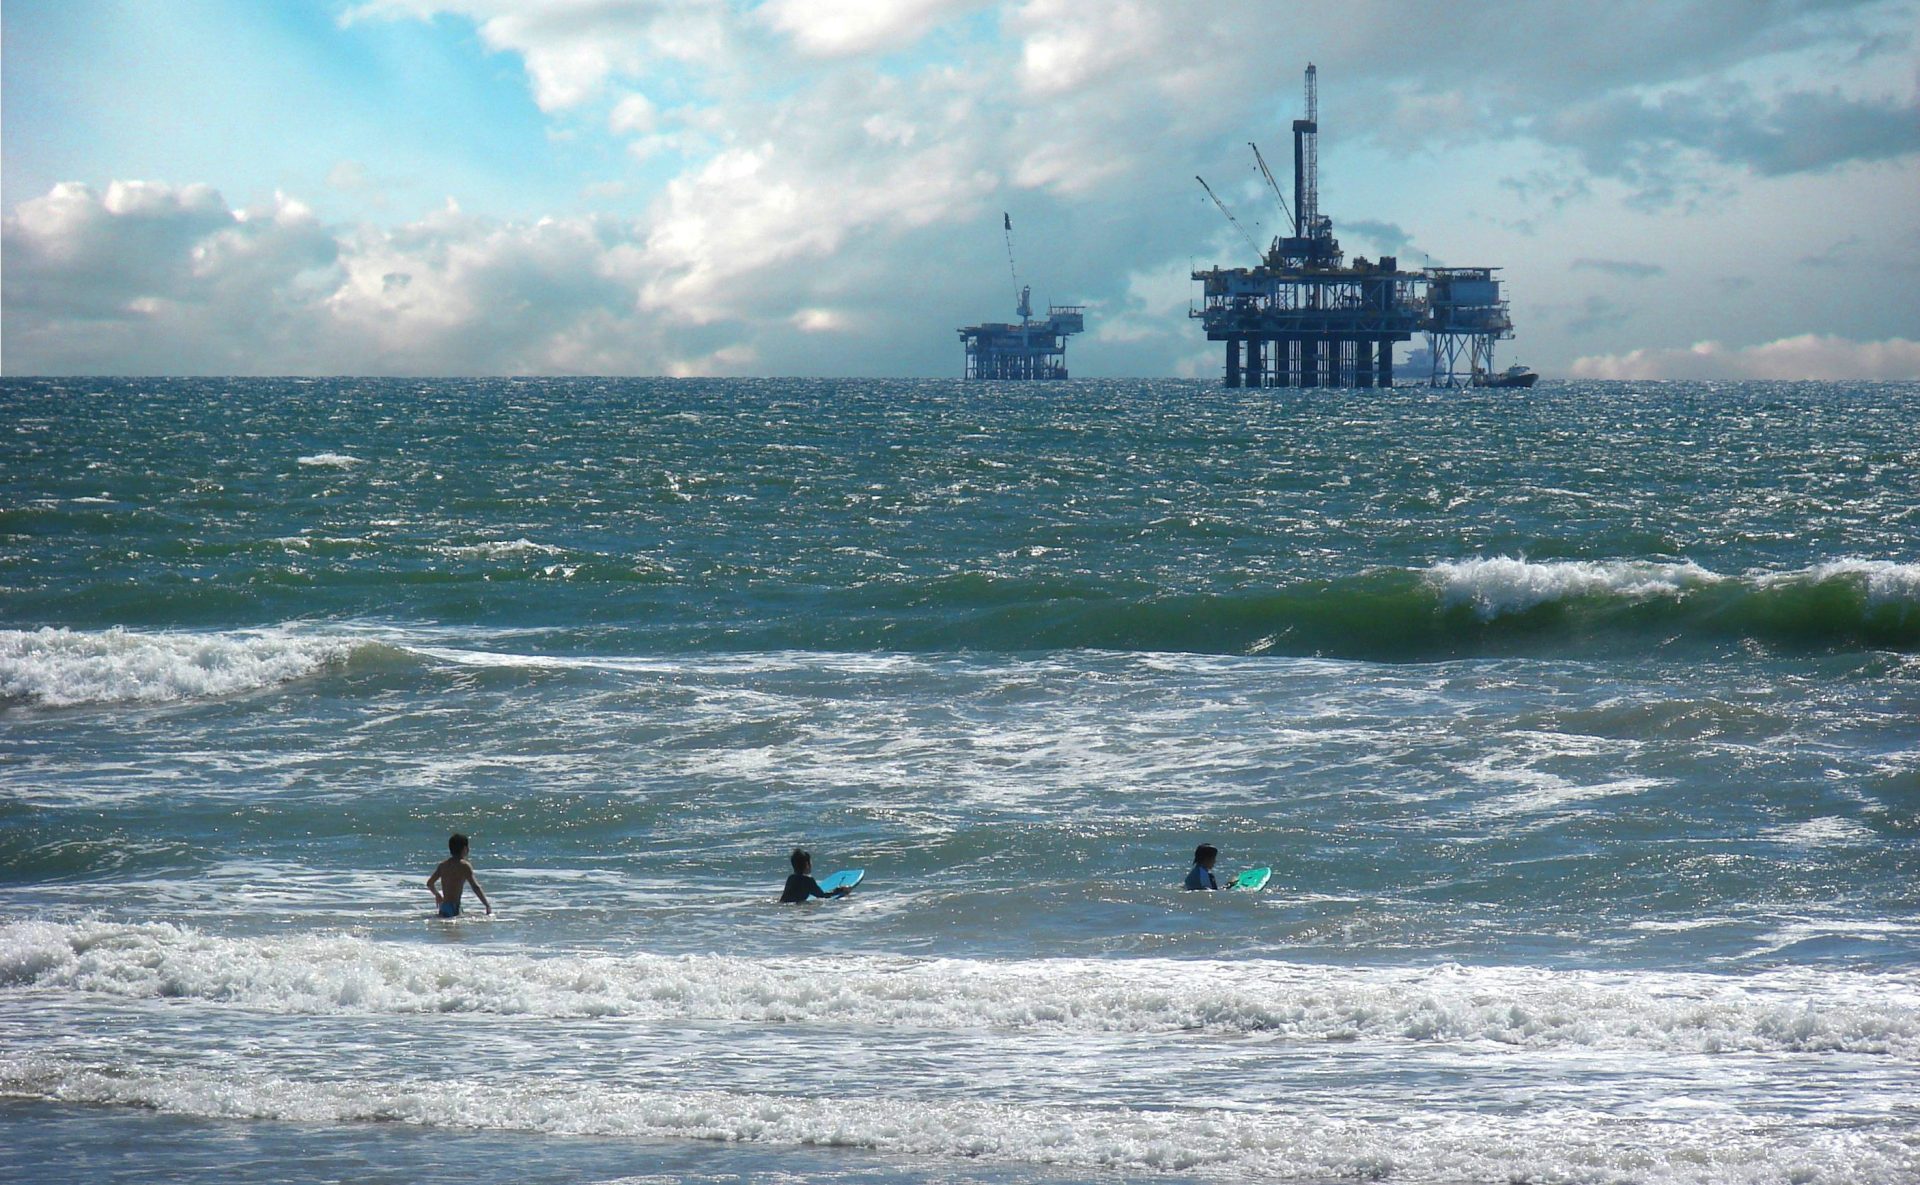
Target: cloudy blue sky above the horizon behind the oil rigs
1716,189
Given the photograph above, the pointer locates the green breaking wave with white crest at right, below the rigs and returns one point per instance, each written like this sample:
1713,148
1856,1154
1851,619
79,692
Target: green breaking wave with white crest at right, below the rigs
1451,610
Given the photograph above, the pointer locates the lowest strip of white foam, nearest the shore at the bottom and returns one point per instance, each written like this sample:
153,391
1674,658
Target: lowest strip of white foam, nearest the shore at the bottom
1550,1144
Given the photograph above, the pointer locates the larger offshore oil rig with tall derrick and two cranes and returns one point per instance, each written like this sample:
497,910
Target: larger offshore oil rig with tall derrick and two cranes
1307,318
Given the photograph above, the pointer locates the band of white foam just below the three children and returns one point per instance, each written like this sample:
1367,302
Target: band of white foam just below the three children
1502,1007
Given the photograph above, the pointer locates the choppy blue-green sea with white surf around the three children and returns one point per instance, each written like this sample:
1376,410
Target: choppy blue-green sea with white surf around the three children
1581,729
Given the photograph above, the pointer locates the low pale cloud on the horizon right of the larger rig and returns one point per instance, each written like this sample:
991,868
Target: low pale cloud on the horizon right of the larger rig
1806,356
